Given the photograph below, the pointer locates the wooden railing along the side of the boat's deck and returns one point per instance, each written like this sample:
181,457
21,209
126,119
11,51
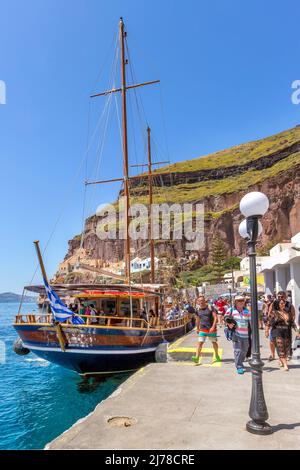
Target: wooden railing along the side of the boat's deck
103,320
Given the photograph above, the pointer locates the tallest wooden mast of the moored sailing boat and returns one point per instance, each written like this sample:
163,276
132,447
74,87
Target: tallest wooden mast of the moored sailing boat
125,150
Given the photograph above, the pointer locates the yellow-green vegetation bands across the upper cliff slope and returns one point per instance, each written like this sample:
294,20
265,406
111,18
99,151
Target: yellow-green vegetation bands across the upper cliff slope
233,157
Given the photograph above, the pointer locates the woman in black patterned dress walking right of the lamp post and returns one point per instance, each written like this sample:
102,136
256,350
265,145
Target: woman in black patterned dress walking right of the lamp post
281,323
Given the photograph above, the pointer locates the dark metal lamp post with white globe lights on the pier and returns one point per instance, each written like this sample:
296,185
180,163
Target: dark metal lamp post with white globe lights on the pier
253,206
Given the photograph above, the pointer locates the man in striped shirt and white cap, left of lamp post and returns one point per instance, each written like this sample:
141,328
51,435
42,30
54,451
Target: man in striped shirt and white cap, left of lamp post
242,316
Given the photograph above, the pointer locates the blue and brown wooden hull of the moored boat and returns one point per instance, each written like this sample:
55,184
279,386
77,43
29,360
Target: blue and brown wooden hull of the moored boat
97,350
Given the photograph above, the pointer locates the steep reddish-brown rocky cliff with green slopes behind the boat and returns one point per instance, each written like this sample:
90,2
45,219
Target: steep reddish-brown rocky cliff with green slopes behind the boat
219,180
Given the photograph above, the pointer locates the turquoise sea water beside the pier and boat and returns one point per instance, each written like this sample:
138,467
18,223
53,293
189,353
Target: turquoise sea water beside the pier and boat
39,400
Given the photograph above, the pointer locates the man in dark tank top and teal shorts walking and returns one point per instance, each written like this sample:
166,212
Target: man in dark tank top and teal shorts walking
206,323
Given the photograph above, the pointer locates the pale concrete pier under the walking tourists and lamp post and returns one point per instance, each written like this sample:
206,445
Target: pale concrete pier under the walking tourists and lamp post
177,405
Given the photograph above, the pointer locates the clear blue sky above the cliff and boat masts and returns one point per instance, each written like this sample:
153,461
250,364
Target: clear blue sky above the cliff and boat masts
226,70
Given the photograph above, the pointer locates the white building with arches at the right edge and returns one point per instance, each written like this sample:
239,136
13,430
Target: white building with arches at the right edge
282,269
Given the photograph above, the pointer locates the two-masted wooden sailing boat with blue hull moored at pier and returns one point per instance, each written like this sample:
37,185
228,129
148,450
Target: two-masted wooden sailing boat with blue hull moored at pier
118,339
